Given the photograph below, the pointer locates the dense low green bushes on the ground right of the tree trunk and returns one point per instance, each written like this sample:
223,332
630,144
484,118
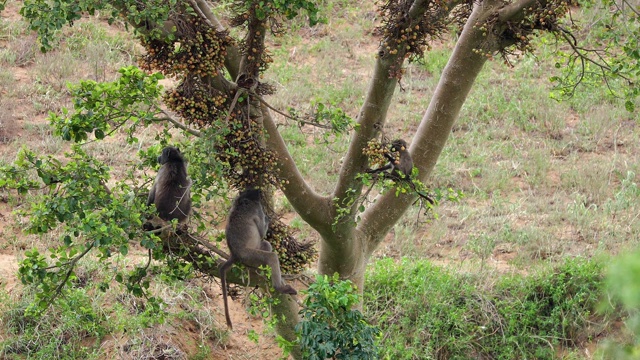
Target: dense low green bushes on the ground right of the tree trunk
429,313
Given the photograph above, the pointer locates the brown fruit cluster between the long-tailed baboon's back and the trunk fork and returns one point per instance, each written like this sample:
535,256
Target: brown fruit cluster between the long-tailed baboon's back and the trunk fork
294,256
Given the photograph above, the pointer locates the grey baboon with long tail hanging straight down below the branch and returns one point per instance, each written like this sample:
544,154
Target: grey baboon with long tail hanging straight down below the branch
246,228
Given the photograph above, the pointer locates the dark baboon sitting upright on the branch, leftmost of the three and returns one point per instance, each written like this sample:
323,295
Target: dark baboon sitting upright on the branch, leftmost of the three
171,191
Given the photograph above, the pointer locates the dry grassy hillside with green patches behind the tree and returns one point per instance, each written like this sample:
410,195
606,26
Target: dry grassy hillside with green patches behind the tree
513,270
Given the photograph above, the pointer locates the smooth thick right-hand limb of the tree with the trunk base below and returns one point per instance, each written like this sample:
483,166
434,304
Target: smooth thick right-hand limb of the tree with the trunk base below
348,253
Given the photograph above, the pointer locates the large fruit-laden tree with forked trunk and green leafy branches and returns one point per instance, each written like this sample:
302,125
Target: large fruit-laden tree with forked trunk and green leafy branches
232,138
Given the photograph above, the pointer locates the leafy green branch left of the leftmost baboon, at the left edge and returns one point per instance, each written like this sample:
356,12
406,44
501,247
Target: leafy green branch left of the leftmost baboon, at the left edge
91,215
